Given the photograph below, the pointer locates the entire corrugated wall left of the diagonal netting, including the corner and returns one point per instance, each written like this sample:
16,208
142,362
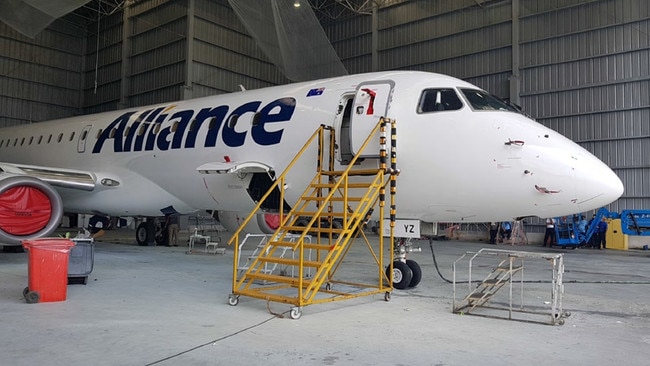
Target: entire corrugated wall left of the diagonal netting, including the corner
130,58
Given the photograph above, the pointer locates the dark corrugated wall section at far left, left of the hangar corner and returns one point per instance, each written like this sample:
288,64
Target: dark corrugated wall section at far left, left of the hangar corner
39,78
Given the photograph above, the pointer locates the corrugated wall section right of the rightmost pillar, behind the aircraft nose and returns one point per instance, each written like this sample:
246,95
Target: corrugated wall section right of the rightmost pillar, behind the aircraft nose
585,72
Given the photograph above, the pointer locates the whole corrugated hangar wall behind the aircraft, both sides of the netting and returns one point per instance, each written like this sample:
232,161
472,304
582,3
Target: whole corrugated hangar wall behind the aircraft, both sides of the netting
580,67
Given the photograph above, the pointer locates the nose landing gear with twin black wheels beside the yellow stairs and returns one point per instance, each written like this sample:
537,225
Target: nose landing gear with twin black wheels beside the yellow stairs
406,272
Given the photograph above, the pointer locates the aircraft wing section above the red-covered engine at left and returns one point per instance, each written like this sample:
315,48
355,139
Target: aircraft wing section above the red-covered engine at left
57,177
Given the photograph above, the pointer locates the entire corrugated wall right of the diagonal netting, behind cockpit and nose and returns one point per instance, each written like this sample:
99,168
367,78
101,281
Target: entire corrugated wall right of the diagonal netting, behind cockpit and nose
584,65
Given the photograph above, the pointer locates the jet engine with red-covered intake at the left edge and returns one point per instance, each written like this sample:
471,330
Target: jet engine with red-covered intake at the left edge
29,208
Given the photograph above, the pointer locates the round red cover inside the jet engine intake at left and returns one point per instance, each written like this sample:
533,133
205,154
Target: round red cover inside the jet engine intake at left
24,210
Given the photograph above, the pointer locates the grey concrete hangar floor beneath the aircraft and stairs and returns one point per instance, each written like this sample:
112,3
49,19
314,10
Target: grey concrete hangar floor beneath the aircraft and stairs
161,306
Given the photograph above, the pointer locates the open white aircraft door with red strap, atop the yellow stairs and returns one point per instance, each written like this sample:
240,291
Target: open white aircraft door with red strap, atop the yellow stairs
371,101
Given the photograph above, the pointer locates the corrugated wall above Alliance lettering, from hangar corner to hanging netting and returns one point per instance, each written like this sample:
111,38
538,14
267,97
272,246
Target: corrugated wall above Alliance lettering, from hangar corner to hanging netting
165,50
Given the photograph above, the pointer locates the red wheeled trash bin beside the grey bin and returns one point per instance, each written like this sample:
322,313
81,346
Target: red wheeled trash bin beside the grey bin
47,269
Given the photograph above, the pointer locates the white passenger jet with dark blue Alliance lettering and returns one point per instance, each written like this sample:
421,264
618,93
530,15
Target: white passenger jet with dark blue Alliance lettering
464,155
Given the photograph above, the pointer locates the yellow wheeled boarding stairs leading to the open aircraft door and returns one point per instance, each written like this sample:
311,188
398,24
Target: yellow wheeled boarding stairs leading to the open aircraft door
338,204
